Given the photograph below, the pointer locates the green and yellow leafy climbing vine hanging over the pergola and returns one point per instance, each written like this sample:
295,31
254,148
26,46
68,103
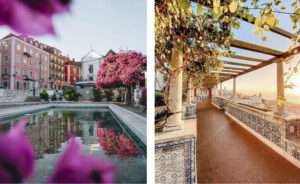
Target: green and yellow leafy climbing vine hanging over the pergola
202,31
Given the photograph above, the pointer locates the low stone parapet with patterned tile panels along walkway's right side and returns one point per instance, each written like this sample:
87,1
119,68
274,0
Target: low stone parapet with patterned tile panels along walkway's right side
275,131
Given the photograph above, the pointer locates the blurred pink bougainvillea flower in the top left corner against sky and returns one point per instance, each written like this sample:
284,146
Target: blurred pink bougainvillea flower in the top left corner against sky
32,17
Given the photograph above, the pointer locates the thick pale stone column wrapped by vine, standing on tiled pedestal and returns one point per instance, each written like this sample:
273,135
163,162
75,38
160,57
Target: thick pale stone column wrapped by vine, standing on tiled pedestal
174,121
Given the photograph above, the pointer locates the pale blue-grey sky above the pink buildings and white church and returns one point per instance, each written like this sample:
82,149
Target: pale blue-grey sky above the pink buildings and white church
104,24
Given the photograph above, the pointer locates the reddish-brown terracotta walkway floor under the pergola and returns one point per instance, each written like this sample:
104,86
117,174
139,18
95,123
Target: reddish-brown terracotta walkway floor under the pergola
228,153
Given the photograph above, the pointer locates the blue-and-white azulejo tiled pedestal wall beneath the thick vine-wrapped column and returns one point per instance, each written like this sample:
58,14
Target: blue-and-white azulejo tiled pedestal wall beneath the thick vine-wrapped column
175,162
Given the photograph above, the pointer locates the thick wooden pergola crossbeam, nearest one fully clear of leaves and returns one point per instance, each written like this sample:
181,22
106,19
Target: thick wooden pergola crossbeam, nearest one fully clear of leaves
255,48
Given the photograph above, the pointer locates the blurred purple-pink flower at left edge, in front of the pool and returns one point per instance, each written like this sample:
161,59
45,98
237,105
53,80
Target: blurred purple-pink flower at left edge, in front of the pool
16,155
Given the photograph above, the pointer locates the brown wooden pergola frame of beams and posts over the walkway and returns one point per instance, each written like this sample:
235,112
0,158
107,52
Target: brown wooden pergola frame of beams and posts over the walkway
233,69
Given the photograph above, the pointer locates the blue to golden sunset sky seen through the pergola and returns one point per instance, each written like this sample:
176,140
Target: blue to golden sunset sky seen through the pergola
264,80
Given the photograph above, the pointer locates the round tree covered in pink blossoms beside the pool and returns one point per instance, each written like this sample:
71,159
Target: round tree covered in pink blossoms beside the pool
124,69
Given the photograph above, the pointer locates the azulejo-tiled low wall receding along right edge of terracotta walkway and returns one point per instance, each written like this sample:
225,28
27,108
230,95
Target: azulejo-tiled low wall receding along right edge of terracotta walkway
275,130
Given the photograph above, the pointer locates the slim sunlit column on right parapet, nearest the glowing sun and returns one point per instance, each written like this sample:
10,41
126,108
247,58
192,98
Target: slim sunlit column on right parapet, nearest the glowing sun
280,88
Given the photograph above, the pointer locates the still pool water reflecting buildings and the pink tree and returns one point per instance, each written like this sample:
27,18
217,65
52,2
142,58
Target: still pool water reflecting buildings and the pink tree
99,133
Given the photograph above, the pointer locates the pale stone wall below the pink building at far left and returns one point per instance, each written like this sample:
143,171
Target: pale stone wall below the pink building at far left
7,95
